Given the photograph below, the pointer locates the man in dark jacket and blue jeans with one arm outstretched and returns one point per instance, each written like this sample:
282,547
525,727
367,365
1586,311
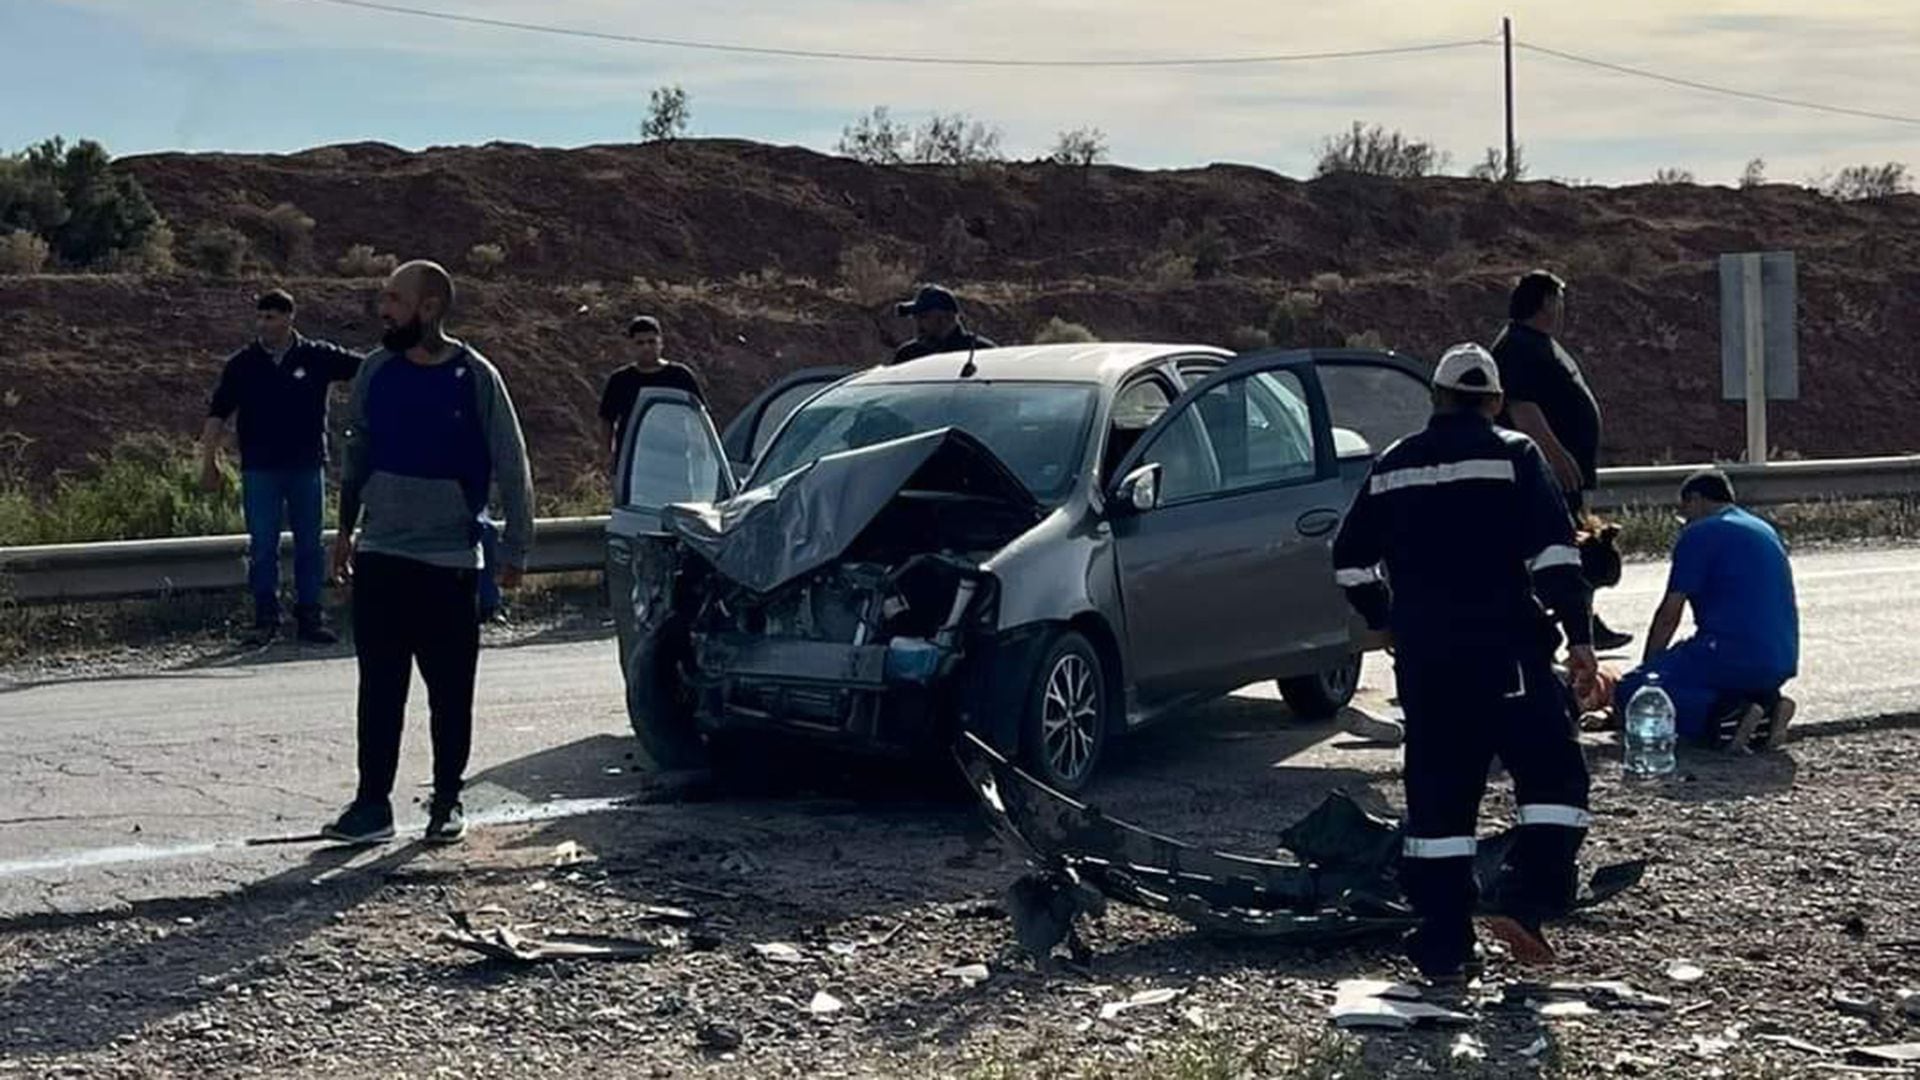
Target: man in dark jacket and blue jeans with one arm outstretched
279,389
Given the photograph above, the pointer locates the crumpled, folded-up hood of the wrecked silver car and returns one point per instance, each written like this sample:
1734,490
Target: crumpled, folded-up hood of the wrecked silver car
809,518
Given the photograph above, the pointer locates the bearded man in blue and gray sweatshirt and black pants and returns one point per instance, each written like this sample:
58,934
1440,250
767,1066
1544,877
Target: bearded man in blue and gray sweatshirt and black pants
431,430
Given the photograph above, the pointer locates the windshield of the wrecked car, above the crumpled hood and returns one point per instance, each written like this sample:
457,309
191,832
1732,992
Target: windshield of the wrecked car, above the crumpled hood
1036,430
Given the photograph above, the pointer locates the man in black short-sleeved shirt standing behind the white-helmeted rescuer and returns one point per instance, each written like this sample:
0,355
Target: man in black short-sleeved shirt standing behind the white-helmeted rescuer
1550,403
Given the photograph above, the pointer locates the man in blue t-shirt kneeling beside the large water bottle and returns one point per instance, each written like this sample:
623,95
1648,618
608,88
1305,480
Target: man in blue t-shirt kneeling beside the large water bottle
1733,570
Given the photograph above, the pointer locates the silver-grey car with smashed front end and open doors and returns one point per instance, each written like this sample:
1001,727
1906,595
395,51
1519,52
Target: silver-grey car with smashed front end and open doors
1047,547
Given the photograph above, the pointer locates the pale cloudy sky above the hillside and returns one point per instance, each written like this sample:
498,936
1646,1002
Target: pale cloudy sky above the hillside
279,76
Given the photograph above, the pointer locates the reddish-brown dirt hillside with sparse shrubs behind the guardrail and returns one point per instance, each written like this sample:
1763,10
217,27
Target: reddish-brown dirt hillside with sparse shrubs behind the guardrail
742,251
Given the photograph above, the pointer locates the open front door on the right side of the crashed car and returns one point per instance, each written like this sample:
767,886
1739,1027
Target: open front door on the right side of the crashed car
1224,516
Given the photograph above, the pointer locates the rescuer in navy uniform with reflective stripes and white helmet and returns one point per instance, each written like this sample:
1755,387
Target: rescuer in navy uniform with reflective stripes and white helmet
1456,549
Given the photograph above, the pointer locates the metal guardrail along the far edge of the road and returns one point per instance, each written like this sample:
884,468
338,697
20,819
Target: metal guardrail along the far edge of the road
567,545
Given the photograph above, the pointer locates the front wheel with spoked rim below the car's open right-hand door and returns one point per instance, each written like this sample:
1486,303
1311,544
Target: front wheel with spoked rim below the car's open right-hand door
1067,720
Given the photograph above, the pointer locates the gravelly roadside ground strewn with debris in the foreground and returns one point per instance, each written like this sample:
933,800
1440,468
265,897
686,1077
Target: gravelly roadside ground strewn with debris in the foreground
1788,881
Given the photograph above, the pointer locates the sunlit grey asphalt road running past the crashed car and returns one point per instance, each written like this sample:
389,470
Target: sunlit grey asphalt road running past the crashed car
149,787
